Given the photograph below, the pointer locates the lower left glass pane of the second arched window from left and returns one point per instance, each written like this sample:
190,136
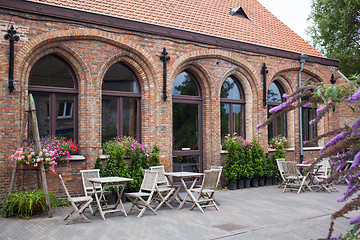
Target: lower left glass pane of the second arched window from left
109,118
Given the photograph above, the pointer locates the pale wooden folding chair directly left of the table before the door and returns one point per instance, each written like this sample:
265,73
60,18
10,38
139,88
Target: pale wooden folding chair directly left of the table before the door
163,188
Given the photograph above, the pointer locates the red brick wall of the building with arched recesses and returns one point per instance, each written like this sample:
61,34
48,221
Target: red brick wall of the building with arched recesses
91,50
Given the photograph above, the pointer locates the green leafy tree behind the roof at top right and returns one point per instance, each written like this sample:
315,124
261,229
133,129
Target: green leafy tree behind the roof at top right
335,32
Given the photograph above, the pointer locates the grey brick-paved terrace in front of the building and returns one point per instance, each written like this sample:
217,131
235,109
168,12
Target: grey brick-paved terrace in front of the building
255,213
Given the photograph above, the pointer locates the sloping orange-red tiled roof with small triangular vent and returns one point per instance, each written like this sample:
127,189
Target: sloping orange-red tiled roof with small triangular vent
211,17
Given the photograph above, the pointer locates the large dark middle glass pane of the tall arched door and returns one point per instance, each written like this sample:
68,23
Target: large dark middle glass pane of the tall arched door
185,126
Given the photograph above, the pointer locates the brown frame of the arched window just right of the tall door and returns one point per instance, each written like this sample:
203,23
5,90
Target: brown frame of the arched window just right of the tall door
241,101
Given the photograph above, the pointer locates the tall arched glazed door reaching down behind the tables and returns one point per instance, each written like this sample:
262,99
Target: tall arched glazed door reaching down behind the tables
187,124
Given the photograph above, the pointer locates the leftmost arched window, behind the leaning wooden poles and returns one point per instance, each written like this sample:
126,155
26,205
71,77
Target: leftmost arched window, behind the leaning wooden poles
54,88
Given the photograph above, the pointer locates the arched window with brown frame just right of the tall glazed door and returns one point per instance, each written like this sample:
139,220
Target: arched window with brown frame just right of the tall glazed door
232,108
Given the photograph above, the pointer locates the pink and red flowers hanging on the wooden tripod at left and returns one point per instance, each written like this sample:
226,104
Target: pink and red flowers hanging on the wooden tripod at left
52,150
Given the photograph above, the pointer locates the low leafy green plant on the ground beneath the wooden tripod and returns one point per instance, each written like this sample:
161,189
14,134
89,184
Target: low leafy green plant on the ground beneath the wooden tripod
22,204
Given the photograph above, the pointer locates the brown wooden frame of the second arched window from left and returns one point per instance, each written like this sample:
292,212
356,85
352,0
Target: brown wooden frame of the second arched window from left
120,96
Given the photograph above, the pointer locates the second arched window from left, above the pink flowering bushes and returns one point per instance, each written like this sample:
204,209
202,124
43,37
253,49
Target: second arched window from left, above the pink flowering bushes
120,103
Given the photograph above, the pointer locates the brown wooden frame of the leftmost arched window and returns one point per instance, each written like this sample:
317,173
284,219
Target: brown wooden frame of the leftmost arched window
54,91
